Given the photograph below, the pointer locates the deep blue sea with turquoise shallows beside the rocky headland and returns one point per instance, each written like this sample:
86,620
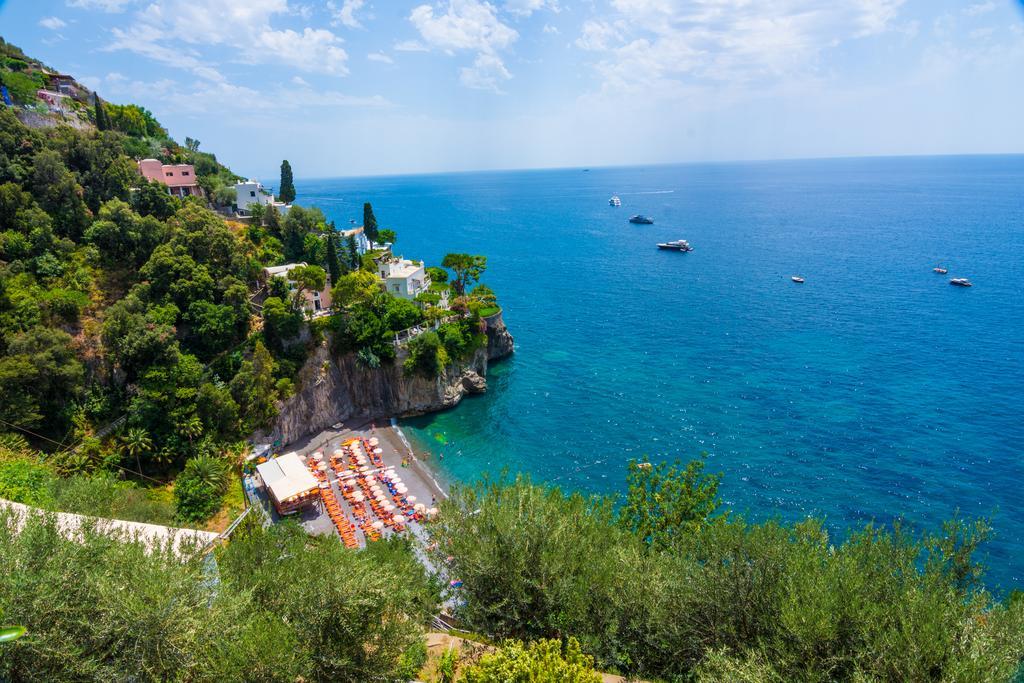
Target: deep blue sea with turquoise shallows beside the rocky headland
875,391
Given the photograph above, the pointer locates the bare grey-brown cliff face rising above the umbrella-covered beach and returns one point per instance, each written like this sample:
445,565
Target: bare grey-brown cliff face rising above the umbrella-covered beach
337,389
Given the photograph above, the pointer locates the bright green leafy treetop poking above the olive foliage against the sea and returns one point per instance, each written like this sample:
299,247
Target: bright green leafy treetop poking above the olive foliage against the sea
666,501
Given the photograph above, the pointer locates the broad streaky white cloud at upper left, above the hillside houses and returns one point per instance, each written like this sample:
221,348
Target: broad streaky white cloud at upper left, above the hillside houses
170,31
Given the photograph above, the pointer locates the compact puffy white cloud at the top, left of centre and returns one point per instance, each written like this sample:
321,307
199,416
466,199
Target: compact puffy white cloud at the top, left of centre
466,25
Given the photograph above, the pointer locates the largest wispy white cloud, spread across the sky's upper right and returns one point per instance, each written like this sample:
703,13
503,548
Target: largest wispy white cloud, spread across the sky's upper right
667,44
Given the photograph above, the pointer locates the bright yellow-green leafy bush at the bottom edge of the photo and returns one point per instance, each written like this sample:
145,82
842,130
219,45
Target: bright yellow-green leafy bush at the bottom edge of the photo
542,662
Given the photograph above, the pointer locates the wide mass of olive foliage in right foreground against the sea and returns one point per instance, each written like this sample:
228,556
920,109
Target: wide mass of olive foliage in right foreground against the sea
723,600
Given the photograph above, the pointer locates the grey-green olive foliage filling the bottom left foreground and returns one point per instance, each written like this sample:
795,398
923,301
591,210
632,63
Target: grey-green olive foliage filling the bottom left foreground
285,608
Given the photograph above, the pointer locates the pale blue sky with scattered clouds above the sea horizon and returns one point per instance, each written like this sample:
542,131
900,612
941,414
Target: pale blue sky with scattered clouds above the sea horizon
366,88
